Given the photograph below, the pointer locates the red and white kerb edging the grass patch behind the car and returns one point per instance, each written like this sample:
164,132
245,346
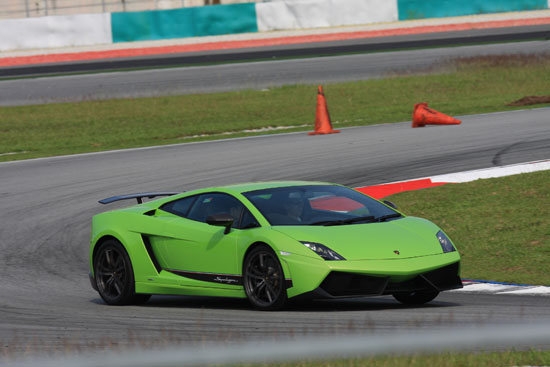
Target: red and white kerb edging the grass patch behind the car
470,285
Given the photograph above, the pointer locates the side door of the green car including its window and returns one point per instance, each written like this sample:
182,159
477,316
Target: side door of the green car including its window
193,248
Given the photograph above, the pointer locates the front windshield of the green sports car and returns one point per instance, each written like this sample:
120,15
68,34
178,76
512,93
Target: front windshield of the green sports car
318,205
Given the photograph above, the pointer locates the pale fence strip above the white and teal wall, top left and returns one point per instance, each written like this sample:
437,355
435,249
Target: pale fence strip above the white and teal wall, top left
41,8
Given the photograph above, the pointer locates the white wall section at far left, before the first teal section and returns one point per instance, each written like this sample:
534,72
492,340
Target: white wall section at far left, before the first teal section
55,31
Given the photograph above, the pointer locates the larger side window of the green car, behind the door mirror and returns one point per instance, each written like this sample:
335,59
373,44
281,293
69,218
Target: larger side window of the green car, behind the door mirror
218,203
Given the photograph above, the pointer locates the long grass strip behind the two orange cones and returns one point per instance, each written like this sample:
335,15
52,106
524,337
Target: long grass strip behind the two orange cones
460,87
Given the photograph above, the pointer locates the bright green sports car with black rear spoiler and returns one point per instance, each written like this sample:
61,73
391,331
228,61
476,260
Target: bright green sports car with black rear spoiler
270,242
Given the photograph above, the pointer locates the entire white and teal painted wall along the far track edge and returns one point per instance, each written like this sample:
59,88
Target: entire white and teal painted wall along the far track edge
105,28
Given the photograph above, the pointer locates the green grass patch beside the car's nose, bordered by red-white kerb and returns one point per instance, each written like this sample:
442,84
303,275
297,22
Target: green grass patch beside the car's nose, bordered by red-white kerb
501,225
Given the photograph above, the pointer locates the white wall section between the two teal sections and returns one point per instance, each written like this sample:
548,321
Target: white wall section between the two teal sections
300,14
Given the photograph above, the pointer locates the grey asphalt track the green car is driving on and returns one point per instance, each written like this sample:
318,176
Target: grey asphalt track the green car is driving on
47,304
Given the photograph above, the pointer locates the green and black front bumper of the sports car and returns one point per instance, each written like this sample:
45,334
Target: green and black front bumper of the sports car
335,279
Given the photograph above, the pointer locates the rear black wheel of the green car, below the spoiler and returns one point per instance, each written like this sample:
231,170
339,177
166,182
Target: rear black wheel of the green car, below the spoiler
114,275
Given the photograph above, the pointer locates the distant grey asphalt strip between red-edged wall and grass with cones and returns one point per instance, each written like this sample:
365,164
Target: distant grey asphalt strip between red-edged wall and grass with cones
251,75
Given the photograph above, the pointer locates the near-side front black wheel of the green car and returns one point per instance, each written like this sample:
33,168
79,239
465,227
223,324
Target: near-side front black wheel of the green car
264,280
